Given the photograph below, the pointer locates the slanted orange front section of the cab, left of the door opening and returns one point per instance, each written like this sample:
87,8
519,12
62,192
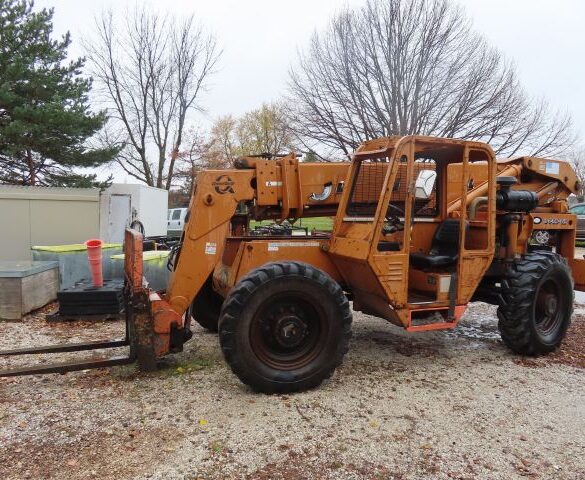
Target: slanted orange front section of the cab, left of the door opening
374,266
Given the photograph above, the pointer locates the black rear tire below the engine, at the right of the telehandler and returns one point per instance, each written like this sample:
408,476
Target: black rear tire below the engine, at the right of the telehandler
537,303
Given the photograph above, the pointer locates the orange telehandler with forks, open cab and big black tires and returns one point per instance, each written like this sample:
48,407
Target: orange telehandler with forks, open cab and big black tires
422,227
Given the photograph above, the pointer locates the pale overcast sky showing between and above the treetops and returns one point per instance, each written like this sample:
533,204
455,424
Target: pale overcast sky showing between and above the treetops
260,38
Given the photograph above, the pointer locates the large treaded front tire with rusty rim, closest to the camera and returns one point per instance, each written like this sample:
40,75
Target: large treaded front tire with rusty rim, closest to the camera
285,327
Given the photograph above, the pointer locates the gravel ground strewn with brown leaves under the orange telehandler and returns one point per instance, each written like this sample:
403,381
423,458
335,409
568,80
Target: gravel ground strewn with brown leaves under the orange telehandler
428,405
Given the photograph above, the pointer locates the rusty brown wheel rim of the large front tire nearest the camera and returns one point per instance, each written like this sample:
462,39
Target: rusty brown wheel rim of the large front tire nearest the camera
288,332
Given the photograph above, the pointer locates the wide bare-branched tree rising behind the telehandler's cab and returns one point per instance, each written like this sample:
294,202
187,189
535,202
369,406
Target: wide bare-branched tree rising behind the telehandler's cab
398,67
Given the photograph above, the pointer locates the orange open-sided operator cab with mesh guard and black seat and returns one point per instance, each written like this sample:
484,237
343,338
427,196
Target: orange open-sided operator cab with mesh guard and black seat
415,227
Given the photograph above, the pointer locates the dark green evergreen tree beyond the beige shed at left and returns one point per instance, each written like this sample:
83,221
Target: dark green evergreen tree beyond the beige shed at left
45,120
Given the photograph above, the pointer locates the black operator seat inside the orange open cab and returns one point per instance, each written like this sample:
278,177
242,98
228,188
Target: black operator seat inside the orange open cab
444,247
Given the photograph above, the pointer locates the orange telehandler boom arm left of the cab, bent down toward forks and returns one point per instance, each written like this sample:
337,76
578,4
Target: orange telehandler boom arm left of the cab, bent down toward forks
277,189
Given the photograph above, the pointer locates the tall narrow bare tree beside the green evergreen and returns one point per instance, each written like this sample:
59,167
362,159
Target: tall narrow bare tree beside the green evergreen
151,70
